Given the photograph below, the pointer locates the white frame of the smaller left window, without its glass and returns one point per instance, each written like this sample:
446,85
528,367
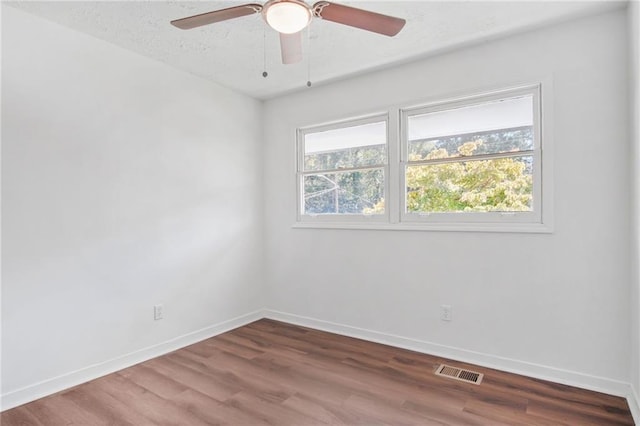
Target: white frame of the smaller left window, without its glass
301,173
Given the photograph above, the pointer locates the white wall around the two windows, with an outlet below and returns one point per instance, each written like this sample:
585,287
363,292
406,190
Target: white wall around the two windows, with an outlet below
553,305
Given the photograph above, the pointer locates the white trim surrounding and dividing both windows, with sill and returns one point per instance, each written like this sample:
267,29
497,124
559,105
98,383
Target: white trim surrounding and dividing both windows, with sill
395,220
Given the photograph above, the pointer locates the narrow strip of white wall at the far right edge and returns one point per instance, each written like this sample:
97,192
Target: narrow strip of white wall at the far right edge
634,54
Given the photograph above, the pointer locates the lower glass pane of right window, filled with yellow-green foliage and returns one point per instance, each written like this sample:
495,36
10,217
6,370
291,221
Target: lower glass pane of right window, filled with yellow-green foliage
496,185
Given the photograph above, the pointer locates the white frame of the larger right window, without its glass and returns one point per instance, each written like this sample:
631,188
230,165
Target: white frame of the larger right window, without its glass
530,217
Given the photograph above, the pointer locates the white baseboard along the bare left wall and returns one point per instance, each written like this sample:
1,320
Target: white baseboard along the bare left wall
74,378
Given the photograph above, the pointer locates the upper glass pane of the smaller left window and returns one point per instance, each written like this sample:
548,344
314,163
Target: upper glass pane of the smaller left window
355,146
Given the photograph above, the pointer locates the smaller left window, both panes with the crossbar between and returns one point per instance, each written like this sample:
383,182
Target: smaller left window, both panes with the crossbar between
342,170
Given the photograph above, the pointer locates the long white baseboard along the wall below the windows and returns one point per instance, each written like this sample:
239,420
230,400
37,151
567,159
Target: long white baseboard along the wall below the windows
567,377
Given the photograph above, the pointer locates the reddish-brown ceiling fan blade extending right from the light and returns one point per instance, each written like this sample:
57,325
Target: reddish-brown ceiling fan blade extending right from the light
359,18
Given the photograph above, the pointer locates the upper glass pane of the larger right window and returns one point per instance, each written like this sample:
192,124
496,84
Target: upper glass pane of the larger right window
487,128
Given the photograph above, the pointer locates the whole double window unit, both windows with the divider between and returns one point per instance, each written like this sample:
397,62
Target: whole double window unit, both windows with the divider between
472,163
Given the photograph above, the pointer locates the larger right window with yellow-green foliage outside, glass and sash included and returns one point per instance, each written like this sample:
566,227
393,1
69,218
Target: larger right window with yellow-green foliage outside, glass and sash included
475,160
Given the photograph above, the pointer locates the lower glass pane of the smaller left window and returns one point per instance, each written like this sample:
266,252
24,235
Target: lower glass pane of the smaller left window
359,192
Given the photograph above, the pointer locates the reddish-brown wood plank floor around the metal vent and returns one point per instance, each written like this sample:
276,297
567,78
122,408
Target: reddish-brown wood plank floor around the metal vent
270,372
